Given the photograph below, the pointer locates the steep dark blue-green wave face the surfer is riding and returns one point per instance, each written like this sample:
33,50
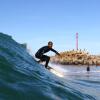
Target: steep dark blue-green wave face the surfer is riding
22,78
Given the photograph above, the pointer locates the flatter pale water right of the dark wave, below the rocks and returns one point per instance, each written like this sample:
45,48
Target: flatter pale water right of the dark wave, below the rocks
79,79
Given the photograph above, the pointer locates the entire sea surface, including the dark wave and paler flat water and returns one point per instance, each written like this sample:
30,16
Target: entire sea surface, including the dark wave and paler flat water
22,78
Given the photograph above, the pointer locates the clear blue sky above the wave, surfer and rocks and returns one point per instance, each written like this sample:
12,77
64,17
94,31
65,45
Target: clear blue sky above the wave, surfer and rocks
38,21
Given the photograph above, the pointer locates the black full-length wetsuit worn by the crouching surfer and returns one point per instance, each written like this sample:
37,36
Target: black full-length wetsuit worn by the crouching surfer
40,54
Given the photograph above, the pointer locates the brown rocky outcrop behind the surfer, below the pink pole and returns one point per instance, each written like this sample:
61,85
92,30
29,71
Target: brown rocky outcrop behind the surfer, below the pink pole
78,57
